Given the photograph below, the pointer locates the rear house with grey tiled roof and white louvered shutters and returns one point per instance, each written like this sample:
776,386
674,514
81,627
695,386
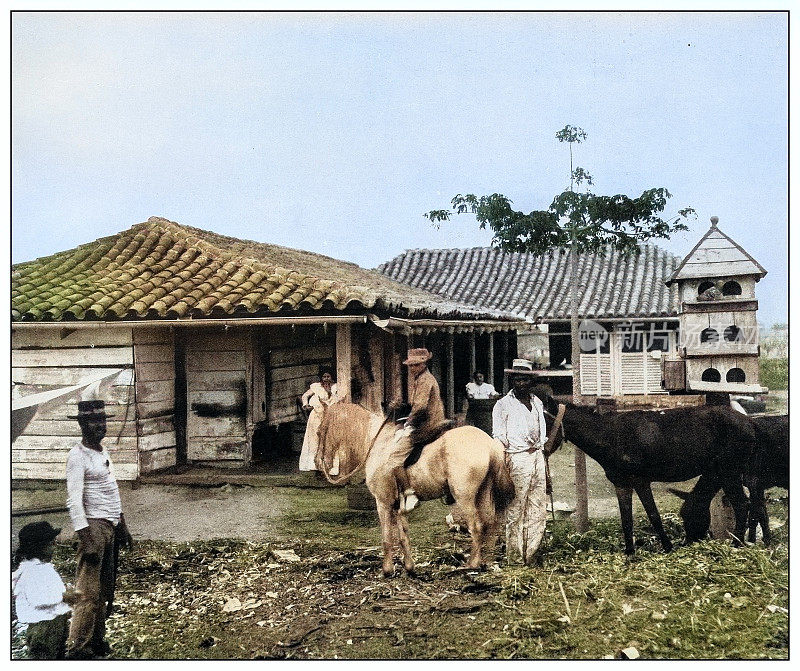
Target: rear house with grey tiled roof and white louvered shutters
624,301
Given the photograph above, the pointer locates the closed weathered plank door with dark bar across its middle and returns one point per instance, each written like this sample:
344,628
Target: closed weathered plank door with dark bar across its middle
216,380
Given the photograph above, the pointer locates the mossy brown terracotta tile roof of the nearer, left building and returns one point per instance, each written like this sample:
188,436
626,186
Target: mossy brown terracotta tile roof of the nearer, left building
160,269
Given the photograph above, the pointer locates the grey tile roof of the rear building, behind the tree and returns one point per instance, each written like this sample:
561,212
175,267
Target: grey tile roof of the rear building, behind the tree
538,286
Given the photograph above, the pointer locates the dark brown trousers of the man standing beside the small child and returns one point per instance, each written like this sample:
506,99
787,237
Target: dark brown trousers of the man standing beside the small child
94,584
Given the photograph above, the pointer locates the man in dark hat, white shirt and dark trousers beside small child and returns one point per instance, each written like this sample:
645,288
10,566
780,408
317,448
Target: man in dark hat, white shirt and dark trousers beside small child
96,512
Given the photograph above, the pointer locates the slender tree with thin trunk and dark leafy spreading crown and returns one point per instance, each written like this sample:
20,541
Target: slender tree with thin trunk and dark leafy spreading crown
576,222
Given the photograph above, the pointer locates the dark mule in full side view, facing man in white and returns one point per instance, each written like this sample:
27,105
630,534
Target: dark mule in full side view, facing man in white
638,448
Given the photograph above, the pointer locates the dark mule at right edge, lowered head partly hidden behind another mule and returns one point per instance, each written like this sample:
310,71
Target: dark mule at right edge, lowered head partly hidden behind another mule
768,467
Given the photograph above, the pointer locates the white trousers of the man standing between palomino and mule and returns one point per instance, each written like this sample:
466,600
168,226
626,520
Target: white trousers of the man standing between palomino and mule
526,517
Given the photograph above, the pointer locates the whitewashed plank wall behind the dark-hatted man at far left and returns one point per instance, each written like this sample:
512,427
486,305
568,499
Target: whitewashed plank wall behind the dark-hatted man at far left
52,358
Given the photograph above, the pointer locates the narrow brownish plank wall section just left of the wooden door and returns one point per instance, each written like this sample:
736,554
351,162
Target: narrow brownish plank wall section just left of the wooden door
154,357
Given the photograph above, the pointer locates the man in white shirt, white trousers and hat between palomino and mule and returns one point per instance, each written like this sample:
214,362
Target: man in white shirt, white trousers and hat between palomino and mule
518,423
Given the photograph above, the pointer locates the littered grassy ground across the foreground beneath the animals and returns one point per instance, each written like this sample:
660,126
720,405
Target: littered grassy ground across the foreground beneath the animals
234,599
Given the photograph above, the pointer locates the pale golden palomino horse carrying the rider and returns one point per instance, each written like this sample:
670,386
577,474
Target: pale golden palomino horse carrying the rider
464,462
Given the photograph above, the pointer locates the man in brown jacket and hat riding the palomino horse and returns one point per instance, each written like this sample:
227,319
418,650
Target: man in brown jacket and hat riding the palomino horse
427,412
